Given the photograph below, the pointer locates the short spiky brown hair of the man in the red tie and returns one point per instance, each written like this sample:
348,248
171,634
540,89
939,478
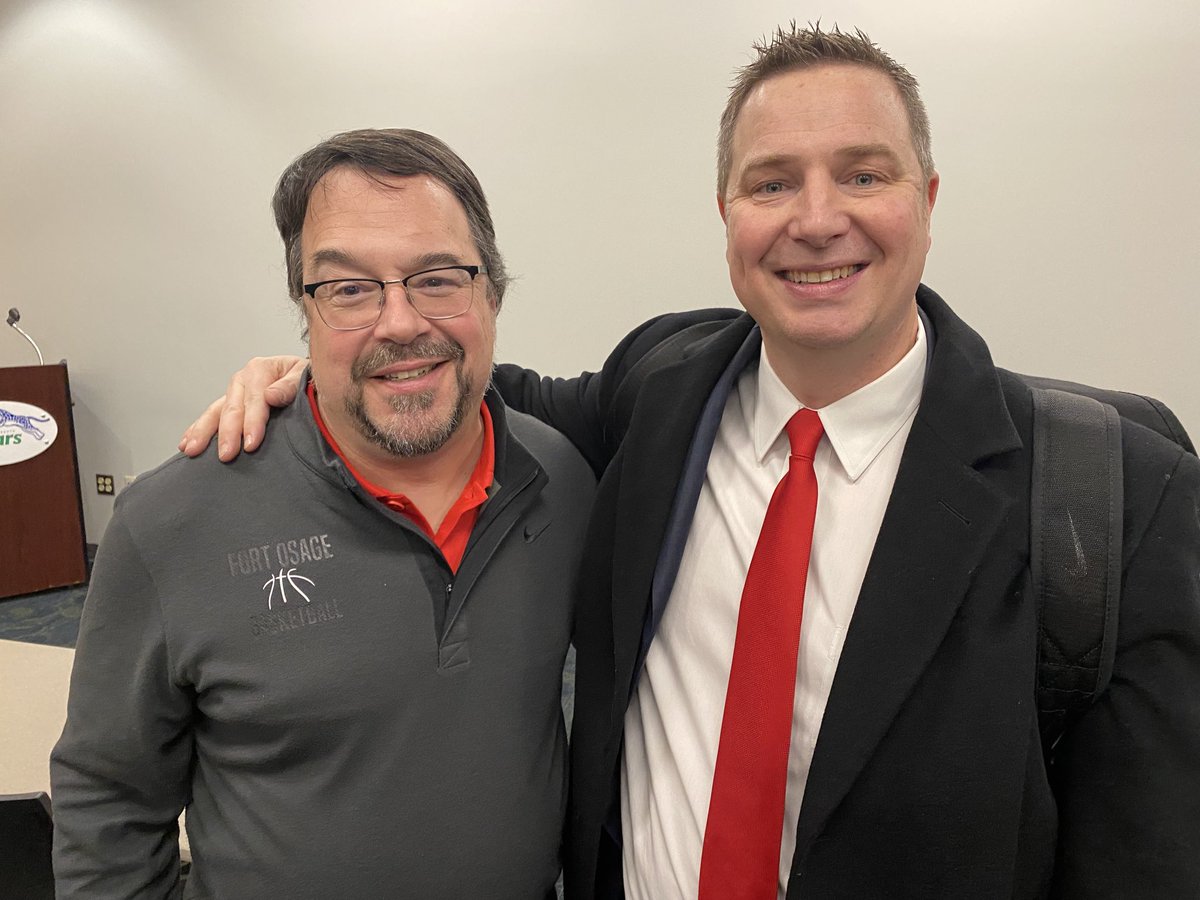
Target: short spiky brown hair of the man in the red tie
807,49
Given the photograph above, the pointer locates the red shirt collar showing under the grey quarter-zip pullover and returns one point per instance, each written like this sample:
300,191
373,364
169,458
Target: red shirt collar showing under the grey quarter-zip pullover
452,538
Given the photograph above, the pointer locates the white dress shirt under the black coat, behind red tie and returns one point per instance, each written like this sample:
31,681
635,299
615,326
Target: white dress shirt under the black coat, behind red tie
674,722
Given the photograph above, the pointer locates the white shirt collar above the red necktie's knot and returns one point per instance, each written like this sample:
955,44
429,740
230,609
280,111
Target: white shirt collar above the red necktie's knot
857,427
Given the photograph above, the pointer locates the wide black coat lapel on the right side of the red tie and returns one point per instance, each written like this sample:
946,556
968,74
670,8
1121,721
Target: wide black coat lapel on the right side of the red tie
940,521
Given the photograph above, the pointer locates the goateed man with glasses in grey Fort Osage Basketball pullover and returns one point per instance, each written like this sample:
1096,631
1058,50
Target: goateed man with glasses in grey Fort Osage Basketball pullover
341,655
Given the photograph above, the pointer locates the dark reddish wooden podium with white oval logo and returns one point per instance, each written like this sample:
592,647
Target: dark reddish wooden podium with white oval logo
41,511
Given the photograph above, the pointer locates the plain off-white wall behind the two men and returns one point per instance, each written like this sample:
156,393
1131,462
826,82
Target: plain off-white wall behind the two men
141,140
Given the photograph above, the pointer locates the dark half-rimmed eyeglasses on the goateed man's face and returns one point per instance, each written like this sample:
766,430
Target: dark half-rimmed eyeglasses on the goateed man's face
352,304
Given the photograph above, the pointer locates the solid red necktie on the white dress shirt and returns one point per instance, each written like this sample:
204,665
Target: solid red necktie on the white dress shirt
746,814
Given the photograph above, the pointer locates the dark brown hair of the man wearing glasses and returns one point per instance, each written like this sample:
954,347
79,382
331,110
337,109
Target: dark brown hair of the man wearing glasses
385,152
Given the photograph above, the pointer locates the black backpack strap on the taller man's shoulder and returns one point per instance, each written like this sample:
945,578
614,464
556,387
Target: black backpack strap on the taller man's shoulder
1076,524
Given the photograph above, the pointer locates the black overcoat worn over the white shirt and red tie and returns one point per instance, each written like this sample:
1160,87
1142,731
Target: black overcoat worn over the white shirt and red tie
928,777
